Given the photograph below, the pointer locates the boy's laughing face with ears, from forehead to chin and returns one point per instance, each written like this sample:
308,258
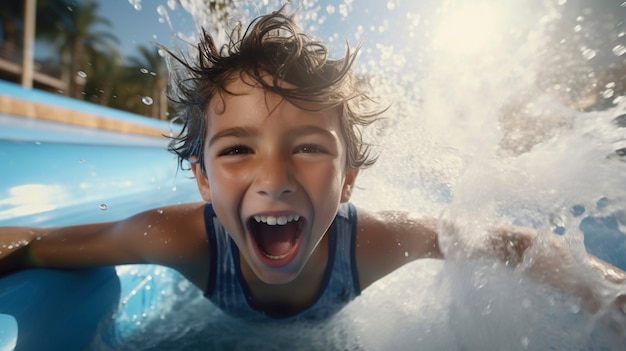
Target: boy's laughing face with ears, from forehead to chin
275,174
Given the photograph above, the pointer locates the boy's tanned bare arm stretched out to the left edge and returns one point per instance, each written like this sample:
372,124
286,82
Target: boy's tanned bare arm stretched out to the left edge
171,236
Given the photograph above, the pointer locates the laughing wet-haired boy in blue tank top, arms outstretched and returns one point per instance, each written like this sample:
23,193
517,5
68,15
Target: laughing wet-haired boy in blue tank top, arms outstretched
272,133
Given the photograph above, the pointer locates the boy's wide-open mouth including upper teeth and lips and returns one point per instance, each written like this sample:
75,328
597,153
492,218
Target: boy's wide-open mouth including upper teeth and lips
277,238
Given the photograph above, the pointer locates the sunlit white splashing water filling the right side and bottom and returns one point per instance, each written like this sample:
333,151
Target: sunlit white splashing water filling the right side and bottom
497,116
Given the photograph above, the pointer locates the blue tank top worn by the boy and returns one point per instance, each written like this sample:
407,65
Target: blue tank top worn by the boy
229,291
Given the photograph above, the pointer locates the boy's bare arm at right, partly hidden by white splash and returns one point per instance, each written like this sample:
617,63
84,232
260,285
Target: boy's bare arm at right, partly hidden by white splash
386,241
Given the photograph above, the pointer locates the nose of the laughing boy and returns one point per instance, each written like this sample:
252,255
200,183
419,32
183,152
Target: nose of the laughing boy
274,178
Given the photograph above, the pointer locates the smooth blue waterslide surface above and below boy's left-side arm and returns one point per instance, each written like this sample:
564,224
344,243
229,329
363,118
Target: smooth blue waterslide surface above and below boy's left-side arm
55,174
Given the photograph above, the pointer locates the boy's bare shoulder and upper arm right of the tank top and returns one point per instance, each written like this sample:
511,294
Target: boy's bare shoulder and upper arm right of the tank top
388,240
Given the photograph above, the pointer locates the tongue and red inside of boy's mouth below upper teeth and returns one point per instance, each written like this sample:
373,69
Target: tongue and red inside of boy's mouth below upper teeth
276,240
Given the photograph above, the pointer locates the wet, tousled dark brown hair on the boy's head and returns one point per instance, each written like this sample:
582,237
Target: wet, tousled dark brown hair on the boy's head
271,45
